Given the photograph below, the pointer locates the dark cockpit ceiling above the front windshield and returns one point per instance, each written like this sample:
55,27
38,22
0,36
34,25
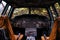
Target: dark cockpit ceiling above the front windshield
30,3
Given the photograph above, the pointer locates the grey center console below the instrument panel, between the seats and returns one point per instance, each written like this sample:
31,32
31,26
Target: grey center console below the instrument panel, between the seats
30,33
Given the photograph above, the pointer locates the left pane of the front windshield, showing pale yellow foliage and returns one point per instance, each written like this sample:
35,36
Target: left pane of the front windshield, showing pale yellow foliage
20,11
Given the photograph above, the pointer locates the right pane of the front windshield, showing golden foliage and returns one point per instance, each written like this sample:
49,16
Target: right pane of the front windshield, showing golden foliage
39,11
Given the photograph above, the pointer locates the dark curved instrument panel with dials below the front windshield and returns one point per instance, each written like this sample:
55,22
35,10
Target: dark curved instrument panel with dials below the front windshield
30,21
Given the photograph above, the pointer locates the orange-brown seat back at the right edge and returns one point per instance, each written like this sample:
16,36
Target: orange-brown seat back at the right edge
55,33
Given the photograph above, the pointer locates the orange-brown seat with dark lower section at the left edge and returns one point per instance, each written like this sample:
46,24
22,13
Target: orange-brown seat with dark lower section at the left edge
6,25
